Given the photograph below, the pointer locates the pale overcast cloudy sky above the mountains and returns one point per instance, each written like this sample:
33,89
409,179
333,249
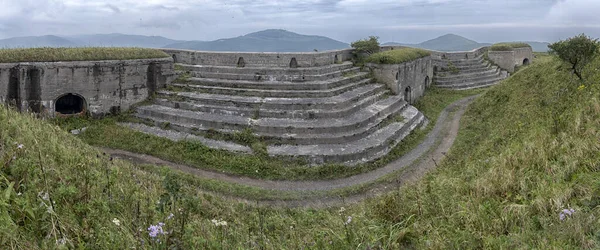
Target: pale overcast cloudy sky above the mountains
344,20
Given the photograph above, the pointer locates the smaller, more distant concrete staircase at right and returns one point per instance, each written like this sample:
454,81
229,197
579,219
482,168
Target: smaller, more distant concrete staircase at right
467,74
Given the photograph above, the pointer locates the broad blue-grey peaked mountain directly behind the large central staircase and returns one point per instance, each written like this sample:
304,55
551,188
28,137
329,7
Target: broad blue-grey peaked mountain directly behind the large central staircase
272,40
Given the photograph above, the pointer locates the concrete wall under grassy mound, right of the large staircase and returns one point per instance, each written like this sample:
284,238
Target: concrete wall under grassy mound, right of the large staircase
415,75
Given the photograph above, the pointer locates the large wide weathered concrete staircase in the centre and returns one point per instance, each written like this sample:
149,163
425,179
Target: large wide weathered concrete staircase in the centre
328,114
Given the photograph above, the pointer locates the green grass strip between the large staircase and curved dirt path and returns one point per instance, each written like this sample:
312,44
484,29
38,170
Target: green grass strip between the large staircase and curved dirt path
107,133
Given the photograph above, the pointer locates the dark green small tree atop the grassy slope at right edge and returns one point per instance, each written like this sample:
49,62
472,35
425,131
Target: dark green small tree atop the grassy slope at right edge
577,51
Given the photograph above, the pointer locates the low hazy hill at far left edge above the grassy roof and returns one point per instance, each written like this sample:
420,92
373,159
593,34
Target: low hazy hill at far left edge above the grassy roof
36,41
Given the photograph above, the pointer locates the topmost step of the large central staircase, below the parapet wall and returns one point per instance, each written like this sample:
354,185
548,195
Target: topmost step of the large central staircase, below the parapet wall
267,70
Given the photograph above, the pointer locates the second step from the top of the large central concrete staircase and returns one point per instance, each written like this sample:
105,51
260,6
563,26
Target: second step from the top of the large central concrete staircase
279,85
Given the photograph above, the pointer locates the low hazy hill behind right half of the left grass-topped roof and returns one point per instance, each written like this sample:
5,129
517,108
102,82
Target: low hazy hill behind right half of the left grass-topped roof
122,40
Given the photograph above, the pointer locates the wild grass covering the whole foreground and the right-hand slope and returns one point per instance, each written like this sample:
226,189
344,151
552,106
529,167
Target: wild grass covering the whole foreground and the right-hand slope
527,151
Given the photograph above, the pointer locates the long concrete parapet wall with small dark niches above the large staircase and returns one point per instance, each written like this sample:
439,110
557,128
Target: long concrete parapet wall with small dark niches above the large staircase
259,59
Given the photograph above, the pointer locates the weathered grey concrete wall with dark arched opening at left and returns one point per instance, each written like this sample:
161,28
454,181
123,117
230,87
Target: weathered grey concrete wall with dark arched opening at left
105,85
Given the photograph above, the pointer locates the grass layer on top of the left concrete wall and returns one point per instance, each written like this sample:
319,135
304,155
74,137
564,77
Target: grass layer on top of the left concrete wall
77,54
